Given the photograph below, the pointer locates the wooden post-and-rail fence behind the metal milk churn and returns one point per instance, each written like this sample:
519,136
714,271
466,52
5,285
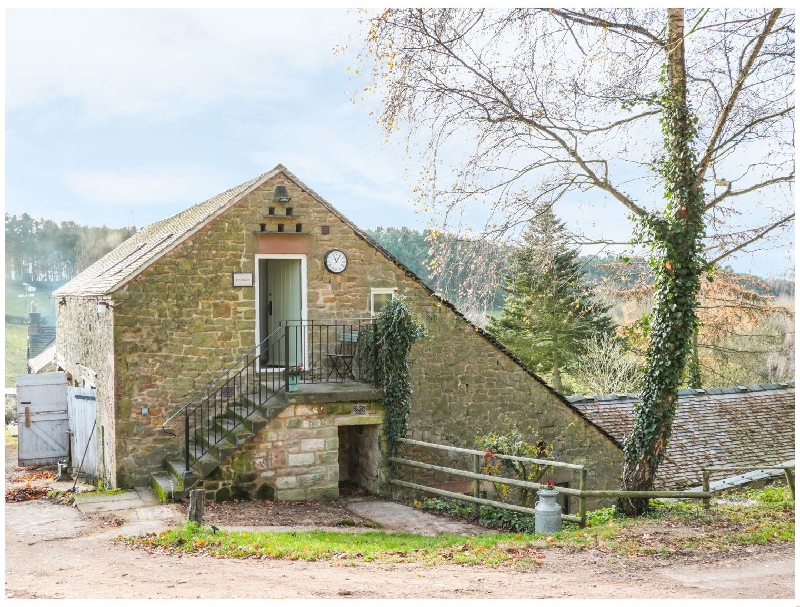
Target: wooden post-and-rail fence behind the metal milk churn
581,492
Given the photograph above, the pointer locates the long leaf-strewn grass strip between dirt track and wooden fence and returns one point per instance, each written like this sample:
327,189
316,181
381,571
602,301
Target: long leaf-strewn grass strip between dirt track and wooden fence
671,529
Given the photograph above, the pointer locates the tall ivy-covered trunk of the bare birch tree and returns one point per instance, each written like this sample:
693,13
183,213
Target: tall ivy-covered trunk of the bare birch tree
676,235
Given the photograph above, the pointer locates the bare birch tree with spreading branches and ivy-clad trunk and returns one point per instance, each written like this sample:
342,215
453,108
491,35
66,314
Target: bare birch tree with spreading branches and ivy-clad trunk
692,110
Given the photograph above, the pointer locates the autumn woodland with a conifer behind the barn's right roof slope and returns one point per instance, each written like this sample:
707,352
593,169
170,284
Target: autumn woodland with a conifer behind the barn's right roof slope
552,308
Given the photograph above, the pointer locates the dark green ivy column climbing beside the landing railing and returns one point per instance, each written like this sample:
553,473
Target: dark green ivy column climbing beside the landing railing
396,330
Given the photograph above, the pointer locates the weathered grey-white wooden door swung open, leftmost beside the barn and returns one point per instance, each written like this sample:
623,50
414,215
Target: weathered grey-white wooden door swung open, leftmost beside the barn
42,415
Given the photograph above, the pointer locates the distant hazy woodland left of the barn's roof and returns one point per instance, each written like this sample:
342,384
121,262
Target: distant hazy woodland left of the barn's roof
41,250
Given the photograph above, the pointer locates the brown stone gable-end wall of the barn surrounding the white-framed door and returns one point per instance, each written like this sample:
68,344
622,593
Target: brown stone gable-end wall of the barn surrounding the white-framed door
180,322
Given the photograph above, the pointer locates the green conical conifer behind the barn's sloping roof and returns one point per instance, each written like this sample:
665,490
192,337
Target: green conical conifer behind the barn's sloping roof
550,309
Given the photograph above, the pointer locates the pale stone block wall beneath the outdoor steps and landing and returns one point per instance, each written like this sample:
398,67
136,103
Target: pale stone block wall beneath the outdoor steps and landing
296,456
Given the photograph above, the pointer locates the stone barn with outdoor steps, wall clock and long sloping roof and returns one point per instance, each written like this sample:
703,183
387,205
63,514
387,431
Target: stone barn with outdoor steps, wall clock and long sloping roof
180,305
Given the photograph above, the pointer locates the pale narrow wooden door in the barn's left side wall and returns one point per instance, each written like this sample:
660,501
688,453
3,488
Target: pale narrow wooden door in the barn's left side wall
82,409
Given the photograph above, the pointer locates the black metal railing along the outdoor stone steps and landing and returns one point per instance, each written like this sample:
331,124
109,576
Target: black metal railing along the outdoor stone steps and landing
296,352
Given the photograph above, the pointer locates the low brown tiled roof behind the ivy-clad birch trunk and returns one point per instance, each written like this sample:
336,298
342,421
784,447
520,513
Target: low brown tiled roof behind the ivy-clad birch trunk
712,427
